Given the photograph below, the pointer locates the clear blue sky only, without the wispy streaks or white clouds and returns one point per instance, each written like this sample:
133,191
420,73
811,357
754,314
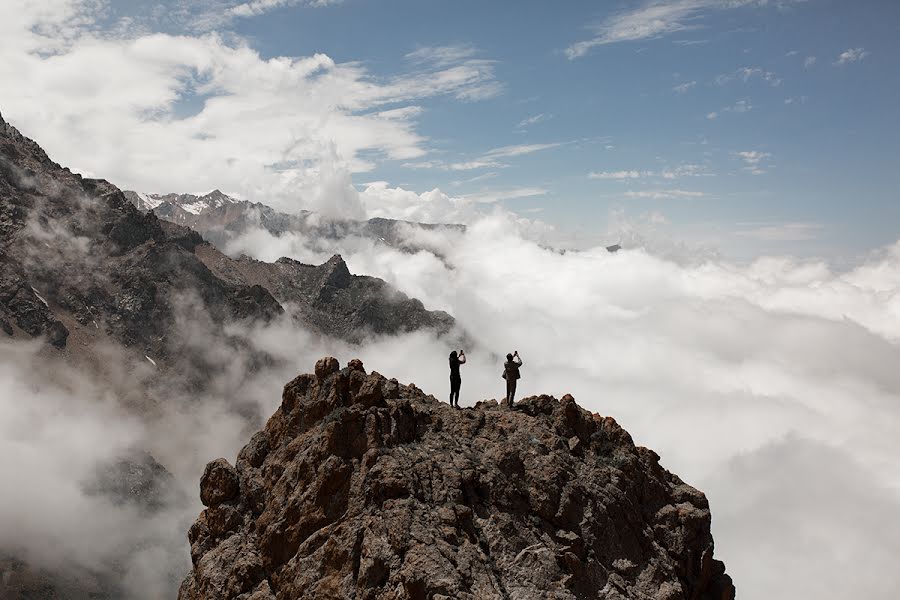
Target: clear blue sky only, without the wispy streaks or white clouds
831,153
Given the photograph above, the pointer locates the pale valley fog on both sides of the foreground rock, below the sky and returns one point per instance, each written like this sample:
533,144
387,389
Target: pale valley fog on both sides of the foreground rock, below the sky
771,386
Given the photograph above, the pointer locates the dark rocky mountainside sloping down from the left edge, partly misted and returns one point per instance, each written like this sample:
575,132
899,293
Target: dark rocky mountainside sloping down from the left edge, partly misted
80,264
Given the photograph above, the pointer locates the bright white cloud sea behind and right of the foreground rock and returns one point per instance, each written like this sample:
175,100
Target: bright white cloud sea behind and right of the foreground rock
770,386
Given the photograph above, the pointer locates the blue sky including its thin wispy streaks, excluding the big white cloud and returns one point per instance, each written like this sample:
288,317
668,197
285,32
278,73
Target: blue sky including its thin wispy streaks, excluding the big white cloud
750,126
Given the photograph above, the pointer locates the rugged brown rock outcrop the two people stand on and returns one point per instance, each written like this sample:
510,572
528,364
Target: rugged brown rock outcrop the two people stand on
360,487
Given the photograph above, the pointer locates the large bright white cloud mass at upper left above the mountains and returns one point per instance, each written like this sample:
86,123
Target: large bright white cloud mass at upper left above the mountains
161,113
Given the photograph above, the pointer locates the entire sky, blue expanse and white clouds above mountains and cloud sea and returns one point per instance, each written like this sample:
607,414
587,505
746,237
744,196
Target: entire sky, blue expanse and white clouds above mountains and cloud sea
748,127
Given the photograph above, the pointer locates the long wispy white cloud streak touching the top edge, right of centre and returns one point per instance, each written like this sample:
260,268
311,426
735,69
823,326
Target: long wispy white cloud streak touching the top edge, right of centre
653,20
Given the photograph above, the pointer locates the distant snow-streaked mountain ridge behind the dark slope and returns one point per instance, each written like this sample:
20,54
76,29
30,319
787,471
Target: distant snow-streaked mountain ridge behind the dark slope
221,219
